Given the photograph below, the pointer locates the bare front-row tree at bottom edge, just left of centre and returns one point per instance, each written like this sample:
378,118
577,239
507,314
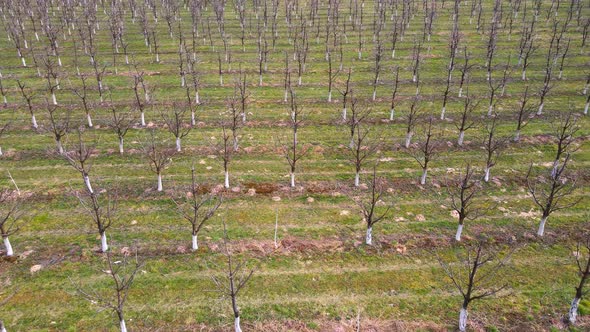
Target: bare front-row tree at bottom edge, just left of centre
235,278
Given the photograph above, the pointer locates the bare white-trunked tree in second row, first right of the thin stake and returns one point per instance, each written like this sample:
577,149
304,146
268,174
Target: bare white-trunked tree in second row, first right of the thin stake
369,205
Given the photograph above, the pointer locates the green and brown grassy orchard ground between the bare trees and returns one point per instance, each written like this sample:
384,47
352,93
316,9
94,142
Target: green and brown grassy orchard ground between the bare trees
322,277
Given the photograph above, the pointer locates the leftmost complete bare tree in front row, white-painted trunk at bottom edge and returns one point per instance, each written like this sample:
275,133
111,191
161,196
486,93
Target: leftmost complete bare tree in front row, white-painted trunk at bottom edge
121,272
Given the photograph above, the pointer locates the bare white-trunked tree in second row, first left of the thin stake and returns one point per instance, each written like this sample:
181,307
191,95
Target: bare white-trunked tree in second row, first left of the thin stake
197,207
